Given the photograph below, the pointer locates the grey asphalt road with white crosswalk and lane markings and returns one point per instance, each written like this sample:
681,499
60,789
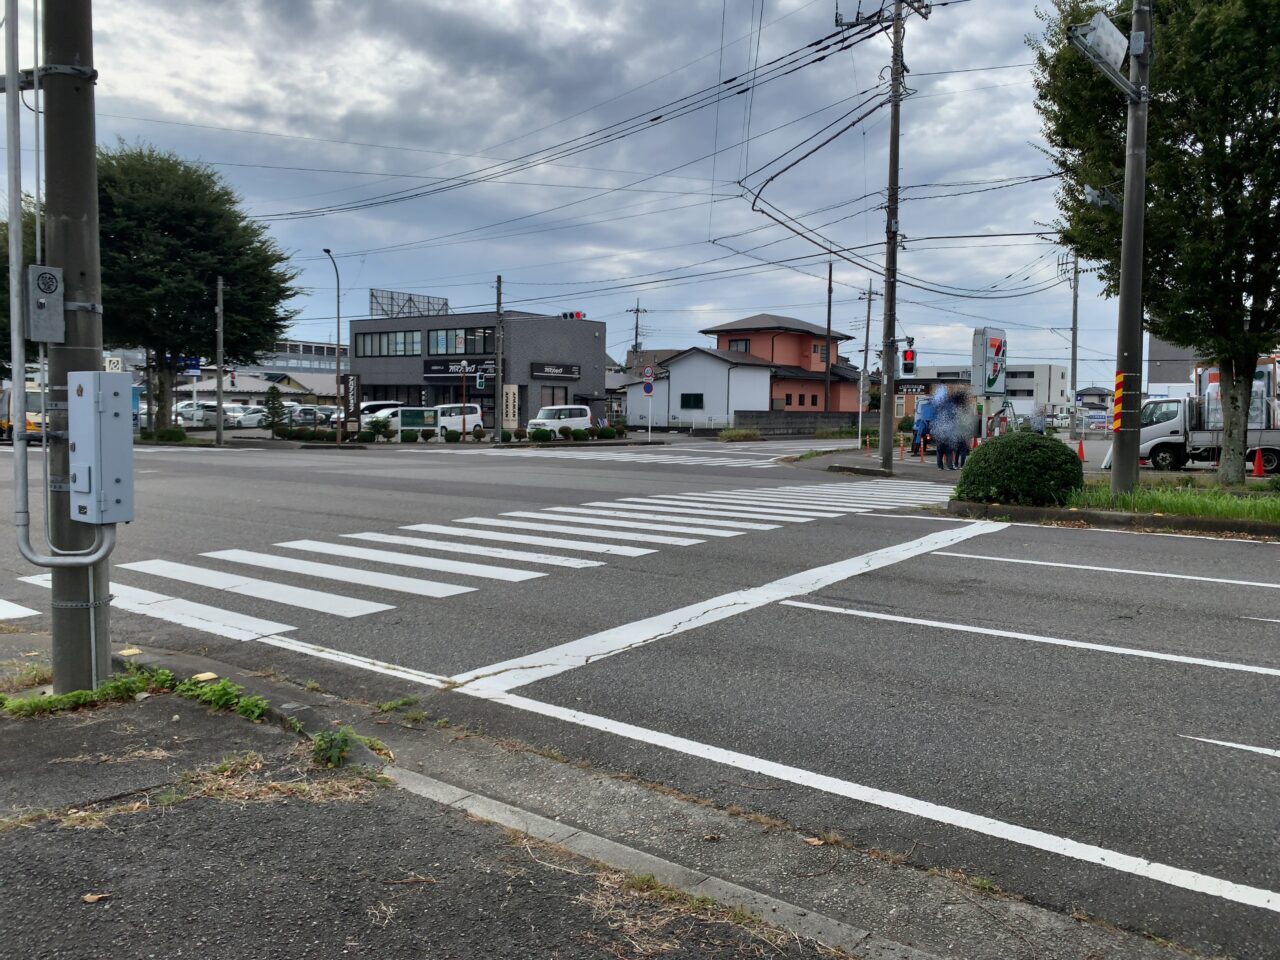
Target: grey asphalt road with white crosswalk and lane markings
1087,719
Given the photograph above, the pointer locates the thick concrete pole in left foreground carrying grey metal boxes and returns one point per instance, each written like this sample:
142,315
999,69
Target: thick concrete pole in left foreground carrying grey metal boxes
83,650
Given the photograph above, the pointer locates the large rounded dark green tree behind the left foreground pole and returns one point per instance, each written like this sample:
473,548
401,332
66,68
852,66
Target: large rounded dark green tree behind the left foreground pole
170,228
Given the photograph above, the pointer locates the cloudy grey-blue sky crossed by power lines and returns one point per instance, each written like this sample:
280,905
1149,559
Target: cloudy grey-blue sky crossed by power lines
386,131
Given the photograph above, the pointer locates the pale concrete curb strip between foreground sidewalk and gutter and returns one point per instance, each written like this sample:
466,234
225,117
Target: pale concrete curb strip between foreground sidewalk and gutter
825,930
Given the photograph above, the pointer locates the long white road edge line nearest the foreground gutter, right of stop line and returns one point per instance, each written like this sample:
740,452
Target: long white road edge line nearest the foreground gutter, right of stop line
913,807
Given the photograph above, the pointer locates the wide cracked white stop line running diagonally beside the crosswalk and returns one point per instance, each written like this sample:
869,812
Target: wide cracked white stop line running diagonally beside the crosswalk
589,650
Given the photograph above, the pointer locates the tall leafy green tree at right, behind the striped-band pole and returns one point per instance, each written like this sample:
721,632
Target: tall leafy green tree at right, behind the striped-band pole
1213,228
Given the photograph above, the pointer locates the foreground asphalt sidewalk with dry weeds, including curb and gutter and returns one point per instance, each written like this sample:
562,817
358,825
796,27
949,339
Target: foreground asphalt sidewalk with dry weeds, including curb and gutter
158,829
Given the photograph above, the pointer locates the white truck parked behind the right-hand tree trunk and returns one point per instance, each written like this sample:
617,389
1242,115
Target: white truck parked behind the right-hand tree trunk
1190,429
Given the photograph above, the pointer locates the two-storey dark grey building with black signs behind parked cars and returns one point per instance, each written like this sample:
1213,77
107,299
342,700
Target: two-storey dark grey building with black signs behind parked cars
418,359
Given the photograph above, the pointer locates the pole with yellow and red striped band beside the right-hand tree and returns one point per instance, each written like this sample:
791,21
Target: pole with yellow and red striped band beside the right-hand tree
1124,458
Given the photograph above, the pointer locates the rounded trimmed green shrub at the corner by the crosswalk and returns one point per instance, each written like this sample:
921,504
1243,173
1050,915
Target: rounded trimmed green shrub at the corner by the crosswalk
1023,469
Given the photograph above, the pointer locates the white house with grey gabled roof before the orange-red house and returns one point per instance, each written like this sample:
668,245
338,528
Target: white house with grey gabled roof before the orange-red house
702,388
